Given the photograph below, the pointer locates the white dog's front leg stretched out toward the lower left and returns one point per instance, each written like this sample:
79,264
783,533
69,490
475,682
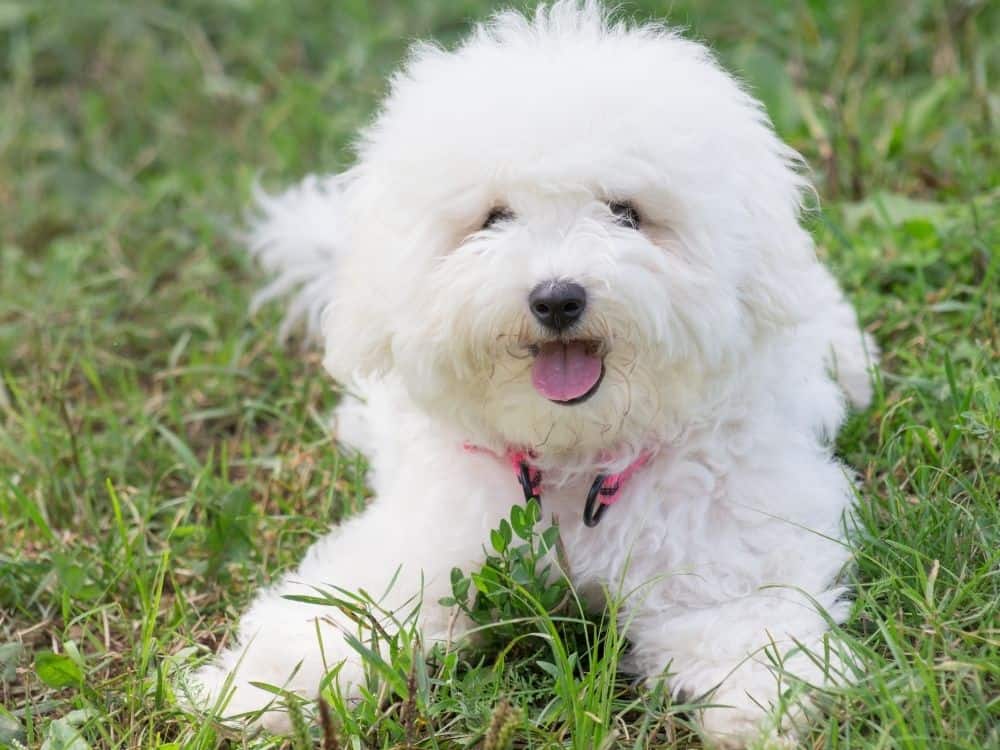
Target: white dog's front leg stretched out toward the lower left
434,514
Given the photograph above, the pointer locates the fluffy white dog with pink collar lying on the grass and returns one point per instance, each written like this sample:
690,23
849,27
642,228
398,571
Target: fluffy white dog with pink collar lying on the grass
570,252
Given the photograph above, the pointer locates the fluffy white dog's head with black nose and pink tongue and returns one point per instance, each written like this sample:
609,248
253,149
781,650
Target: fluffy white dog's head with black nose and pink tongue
566,240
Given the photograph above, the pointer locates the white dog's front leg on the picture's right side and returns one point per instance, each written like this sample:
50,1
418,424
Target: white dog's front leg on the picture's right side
743,612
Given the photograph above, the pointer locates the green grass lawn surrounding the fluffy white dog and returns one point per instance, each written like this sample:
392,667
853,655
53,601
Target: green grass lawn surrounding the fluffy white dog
162,454
